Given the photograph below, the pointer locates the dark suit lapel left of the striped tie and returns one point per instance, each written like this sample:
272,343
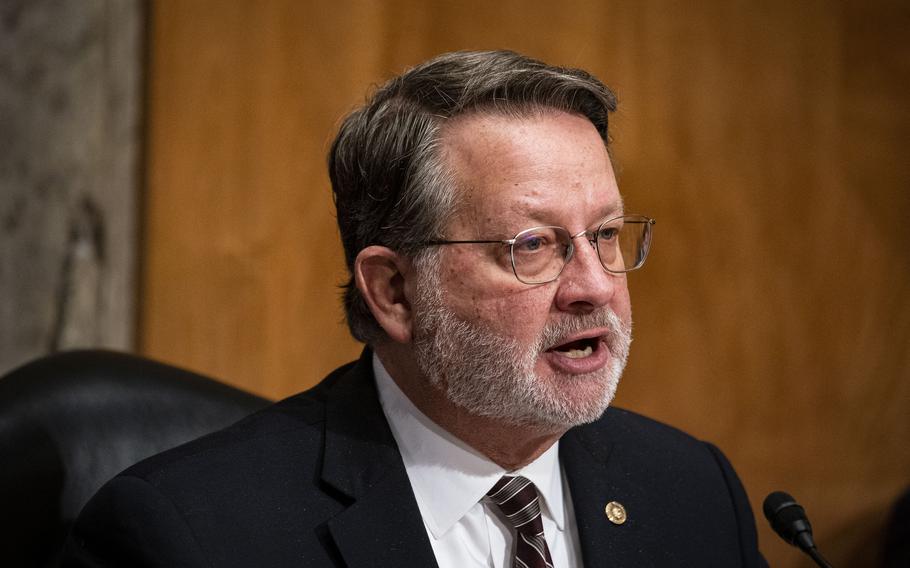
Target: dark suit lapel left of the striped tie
382,526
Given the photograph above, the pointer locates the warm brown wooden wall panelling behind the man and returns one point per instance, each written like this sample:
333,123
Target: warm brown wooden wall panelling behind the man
767,139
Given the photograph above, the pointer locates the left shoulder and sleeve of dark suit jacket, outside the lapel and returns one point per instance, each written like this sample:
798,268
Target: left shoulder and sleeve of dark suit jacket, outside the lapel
222,499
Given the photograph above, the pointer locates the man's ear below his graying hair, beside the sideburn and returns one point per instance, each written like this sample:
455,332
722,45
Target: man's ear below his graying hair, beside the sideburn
379,273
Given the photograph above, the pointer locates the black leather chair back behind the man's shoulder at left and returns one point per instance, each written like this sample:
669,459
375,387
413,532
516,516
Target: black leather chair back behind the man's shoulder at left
71,421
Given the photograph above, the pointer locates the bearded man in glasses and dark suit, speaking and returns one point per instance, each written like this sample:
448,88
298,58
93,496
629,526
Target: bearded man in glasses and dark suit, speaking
488,246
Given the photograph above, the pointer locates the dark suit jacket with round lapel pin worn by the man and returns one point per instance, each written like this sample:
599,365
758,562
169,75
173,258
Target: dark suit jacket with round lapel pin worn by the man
317,480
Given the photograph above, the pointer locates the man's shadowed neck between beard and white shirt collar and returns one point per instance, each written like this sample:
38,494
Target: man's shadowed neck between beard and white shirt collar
508,445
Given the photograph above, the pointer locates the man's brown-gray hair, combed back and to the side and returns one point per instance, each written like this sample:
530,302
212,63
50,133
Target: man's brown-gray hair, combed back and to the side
389,180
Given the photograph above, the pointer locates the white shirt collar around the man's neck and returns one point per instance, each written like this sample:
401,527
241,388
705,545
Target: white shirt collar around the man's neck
448,476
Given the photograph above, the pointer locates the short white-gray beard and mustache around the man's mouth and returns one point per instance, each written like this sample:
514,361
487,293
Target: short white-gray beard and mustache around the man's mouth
492,376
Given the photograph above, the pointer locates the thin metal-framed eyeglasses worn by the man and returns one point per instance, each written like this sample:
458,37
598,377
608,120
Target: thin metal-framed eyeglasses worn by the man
539,254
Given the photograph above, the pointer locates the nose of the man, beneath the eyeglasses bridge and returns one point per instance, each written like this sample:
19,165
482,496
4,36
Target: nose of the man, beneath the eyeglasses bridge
584,285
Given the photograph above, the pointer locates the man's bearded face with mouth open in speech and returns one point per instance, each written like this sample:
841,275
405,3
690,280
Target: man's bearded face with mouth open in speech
547,354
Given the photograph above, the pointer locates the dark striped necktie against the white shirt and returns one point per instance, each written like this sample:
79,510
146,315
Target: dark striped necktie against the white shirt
519,502
